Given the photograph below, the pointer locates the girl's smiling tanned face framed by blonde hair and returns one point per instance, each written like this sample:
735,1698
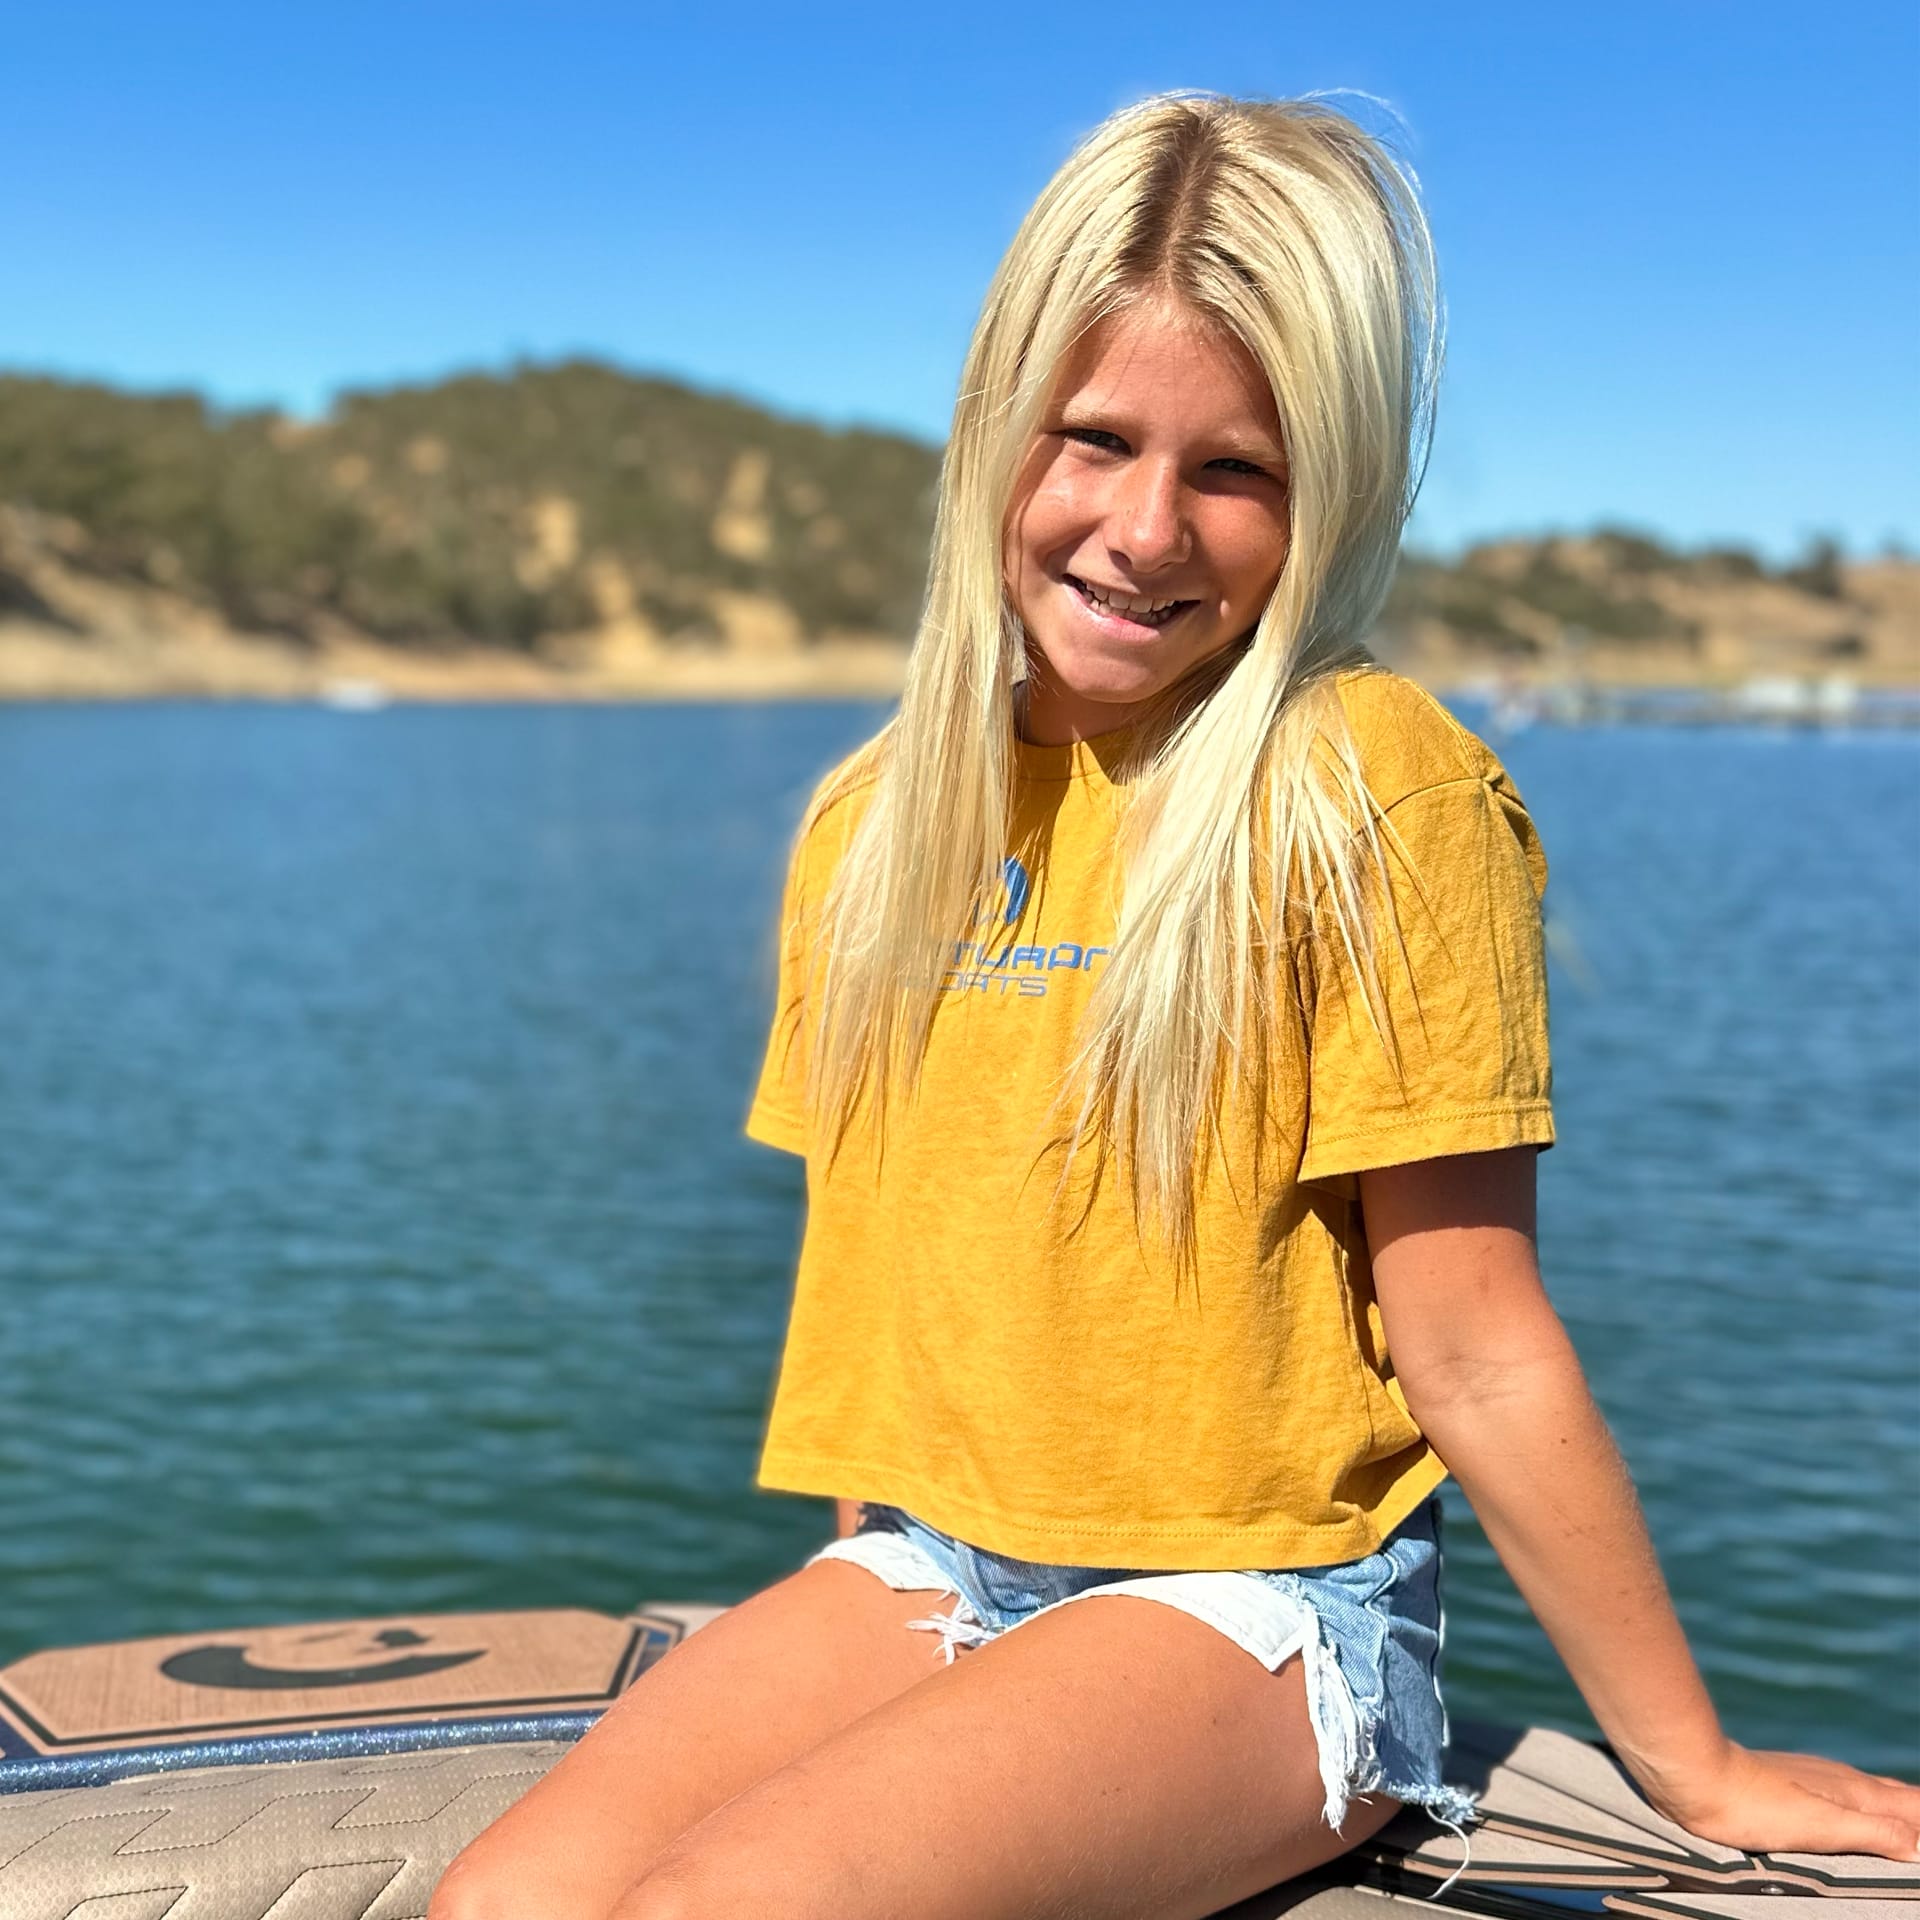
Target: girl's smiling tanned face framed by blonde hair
1149,525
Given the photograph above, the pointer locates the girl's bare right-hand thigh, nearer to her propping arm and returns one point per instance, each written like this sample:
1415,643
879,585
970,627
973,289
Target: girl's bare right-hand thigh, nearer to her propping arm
1115,1760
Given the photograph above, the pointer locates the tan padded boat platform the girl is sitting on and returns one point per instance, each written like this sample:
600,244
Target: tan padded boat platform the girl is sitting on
331,1771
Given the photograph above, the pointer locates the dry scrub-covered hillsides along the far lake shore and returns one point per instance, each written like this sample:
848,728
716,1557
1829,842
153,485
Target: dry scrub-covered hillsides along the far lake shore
581,533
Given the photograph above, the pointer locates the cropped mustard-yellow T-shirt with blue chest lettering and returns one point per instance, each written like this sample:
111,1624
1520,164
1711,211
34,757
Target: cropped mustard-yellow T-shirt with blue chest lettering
1020,1370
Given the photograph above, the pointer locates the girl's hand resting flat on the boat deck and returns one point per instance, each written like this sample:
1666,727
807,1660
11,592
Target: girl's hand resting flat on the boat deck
1796,1804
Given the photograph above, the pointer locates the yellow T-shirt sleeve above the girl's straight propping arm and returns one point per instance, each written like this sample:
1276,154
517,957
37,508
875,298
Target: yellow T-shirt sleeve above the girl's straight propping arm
1462,980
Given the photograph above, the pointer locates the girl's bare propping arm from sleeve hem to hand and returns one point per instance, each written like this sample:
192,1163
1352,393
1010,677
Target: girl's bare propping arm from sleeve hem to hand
1497,1387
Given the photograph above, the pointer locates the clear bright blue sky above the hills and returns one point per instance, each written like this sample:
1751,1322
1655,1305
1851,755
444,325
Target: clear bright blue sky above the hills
1681,243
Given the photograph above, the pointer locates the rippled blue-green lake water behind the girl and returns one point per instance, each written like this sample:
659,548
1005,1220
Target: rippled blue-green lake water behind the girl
377,1232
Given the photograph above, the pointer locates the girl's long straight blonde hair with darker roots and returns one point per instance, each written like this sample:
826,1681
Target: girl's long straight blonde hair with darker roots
1303,237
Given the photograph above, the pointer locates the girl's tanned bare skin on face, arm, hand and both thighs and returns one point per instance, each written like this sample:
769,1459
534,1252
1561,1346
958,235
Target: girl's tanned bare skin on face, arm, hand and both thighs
811,1756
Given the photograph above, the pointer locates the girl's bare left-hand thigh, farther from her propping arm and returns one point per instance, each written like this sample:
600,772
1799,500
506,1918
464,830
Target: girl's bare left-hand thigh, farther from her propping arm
736,1702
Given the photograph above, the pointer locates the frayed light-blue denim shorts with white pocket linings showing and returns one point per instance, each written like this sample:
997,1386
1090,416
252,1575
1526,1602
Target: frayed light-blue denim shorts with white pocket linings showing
1368,1635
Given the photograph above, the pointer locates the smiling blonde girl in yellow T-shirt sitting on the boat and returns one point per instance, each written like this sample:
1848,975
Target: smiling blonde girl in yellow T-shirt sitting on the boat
1163,1020
